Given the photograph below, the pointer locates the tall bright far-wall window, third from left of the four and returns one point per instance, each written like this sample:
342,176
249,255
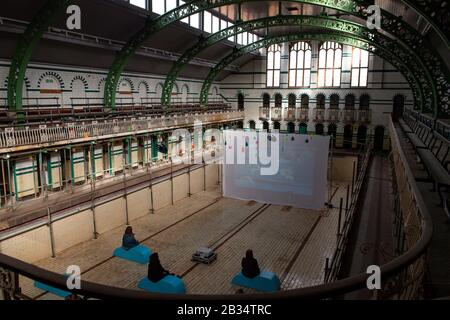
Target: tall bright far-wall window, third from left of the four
330,63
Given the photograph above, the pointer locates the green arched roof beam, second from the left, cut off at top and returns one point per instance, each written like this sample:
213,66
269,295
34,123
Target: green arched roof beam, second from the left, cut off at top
195,6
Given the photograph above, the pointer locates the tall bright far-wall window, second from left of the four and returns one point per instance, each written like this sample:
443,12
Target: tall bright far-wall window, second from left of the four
300,65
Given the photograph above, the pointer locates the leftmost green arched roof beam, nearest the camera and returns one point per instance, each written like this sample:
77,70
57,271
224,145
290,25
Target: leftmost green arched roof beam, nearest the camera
25,47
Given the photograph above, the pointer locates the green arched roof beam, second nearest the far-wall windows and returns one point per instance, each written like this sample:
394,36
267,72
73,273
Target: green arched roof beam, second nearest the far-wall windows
414,40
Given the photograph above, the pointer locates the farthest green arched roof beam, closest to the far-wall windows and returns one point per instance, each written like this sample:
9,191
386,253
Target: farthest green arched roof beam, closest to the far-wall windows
339,37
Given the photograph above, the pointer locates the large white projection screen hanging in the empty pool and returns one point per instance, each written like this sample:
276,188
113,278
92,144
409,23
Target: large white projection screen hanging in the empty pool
301,180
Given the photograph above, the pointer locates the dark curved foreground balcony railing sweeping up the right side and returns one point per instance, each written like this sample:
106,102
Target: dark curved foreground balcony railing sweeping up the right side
401,277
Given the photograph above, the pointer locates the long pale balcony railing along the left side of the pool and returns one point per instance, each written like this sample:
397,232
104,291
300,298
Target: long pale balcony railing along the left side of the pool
70,132
